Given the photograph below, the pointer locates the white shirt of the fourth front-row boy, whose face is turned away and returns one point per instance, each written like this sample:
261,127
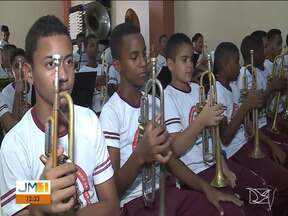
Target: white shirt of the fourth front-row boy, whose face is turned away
230,100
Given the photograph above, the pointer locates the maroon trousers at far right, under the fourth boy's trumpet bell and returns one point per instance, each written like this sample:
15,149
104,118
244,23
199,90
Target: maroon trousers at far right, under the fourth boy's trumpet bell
275,175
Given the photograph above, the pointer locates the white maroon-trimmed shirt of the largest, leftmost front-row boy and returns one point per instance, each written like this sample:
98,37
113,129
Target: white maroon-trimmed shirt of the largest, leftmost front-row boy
23,145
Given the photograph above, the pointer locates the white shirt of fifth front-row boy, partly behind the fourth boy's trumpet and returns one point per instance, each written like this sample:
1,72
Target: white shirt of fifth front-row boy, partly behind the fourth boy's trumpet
261,85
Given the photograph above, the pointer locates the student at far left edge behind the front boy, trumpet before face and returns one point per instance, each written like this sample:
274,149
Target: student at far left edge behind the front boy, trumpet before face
13,104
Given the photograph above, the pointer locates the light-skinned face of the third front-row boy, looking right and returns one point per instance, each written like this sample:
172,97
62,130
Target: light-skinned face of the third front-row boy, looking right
182,66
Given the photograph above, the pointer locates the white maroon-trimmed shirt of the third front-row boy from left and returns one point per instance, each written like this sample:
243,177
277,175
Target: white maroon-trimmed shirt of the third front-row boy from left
180,111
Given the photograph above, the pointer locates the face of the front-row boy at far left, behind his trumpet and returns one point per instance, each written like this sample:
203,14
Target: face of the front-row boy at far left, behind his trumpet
43,70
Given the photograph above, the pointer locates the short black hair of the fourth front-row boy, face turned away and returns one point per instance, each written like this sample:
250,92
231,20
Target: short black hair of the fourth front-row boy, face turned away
224,52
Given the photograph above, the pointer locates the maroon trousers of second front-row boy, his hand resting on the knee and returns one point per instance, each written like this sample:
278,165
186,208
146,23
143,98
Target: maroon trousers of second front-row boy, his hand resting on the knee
180,202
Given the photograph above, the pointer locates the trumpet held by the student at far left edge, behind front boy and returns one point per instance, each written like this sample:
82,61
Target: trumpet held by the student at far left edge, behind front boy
23,103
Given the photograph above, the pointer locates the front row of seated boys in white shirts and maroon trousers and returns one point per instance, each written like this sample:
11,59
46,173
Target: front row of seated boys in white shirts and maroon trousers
109,156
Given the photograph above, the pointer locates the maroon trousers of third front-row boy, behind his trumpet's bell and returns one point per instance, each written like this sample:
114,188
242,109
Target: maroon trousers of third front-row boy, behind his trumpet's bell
245,179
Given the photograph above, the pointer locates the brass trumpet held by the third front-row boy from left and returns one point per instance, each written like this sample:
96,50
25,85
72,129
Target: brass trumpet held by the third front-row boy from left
209,156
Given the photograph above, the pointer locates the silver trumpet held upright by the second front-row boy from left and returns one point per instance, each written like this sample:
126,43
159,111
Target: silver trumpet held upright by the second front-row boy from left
148,171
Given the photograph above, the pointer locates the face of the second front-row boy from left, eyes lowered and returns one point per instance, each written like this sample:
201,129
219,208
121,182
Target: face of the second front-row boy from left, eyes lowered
132,64
